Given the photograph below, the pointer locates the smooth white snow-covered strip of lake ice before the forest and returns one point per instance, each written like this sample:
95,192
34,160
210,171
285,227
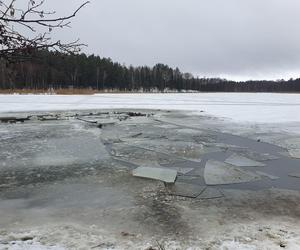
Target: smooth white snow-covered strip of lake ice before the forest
239,107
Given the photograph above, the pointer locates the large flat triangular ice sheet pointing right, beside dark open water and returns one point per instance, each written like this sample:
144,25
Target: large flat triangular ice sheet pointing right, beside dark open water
219,173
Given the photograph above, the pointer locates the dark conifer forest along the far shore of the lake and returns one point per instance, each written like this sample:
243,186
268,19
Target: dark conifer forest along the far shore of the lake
57,70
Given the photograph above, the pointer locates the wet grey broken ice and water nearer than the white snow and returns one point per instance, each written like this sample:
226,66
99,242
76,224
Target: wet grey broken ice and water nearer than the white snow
75,177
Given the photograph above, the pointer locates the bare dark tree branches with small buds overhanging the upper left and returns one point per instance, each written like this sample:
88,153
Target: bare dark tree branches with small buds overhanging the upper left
23,30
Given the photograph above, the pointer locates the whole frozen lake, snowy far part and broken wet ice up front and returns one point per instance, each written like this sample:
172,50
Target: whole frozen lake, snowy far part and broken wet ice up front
66,177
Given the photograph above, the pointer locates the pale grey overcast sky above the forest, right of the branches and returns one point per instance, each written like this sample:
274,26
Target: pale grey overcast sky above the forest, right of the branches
236,39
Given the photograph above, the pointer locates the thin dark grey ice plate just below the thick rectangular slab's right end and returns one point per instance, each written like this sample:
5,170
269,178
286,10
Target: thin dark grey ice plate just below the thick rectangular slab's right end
185,189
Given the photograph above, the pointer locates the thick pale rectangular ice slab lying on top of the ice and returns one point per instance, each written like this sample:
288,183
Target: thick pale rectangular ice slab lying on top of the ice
162,174
